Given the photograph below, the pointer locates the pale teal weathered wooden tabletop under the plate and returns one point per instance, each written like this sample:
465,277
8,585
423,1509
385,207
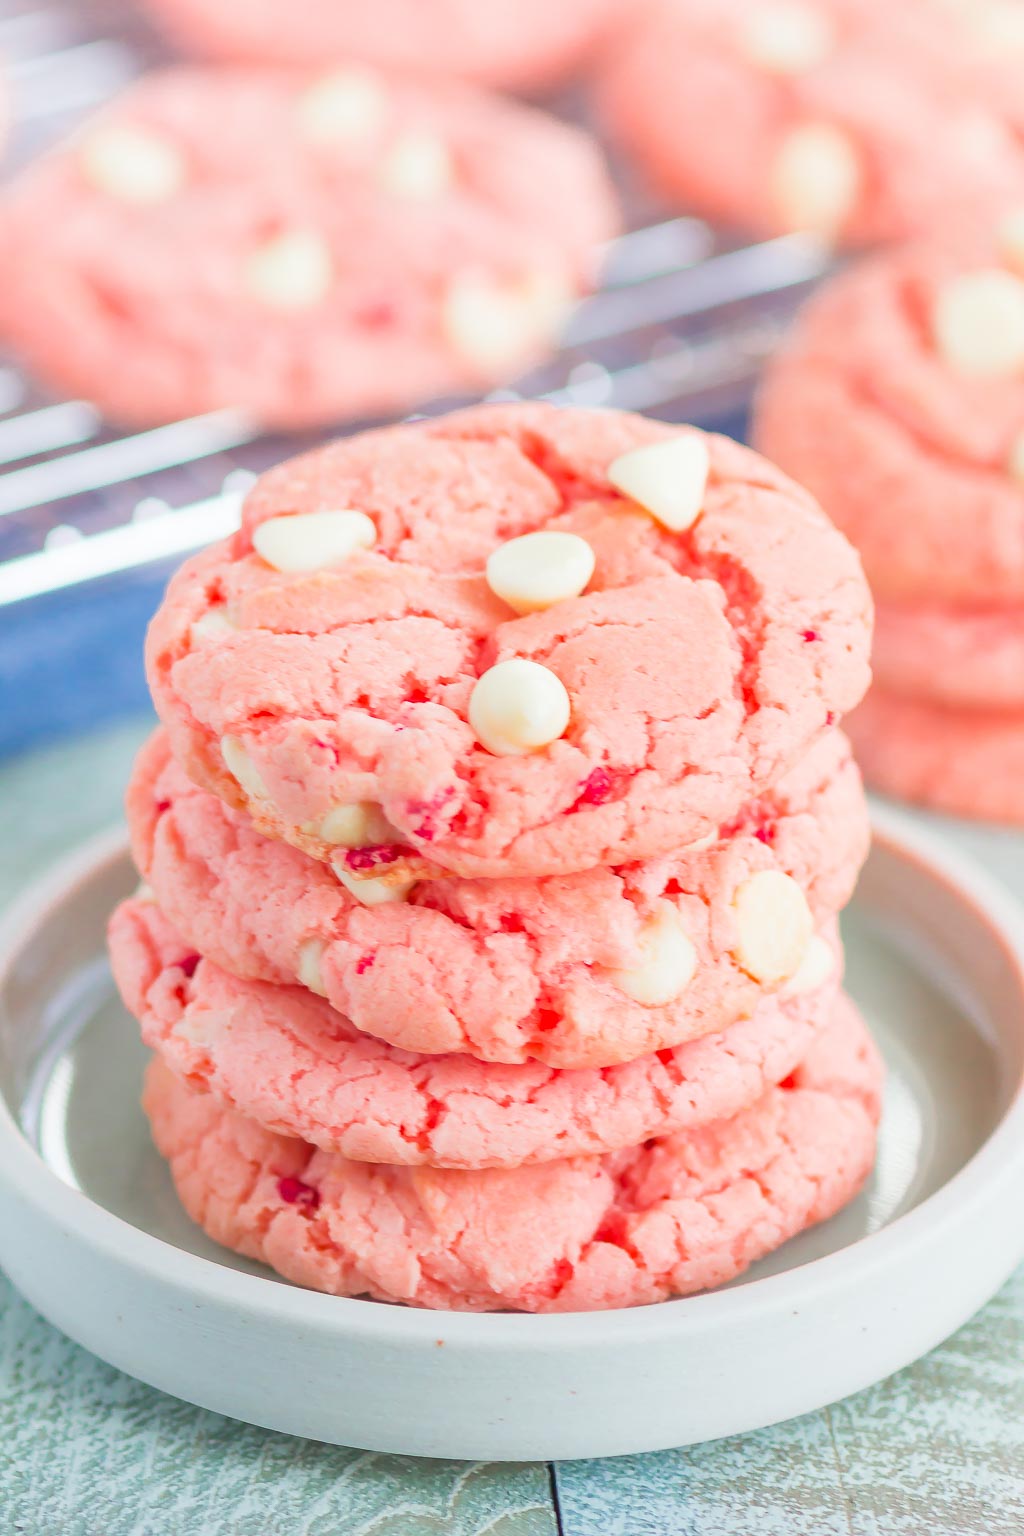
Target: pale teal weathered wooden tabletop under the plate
90,1452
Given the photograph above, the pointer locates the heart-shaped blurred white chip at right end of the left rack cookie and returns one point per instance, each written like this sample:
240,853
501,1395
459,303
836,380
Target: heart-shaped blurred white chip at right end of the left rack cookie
498,328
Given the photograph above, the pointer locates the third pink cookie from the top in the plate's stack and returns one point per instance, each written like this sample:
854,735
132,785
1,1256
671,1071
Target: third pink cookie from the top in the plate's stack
286,1059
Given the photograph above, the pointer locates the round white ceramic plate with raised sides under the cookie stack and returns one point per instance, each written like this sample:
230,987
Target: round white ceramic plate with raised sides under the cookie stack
93,1234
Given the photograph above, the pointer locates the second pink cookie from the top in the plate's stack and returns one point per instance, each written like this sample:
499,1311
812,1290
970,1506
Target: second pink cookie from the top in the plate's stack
510,970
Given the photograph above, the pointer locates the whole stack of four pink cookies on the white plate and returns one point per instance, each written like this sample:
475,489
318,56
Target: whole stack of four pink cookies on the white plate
494,844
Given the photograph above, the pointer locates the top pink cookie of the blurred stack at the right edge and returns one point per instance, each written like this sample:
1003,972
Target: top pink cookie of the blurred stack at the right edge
900,403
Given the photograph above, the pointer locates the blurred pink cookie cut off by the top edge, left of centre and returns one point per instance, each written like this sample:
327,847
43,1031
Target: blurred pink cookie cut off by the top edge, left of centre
509,44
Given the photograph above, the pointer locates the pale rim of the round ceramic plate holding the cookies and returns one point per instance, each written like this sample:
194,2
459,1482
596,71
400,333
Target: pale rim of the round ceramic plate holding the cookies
999,1162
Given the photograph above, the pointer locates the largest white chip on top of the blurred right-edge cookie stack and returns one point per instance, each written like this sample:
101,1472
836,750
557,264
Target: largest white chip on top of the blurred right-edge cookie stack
979,323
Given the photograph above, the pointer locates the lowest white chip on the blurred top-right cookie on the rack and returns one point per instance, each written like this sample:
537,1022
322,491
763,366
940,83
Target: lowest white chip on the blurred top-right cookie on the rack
816,179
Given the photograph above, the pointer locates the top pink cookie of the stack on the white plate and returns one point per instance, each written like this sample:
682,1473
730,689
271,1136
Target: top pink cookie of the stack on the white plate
303,674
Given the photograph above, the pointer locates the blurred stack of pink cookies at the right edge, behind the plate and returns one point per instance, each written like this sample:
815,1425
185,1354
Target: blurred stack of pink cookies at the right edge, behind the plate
900,403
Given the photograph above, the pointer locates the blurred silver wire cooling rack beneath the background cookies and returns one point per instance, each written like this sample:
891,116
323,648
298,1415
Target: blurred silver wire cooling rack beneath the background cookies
679,329
